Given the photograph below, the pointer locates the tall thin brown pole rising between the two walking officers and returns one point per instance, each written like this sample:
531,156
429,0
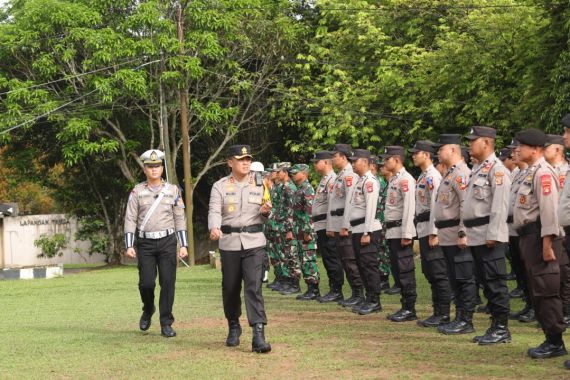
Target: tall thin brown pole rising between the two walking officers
185,142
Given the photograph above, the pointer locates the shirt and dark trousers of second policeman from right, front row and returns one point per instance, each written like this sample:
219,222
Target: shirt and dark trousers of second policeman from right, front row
488,195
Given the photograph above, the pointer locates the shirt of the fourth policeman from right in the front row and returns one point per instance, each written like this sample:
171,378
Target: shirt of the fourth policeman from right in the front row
426,189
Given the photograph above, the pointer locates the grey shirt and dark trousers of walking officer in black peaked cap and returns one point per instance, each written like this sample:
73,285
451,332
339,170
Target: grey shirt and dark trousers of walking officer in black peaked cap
235,210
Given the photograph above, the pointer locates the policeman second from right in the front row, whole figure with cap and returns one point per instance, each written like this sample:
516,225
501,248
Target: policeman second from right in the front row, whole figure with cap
487,231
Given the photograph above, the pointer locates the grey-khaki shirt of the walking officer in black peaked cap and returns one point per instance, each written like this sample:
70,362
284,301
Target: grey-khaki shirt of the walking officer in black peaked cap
237,204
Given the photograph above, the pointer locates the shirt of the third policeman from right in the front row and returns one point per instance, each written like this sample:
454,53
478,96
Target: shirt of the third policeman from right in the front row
449,202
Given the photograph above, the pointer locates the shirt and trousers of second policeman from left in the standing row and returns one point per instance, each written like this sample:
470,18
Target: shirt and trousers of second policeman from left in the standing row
338,218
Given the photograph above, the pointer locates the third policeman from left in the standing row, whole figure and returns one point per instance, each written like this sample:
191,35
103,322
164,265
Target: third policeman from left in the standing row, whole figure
365,229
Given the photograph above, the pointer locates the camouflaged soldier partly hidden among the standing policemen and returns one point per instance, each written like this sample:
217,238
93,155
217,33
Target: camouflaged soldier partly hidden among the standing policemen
382,175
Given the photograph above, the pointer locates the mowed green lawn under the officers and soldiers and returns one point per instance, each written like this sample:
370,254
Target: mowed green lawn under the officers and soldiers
85,325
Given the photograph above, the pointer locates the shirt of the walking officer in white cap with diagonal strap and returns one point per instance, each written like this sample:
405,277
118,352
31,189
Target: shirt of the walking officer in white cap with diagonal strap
168,215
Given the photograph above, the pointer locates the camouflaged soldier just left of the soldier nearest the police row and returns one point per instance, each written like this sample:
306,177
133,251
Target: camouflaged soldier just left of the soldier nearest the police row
285,222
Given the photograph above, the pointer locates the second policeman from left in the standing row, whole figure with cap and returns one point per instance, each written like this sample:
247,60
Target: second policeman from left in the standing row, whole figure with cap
338,223
